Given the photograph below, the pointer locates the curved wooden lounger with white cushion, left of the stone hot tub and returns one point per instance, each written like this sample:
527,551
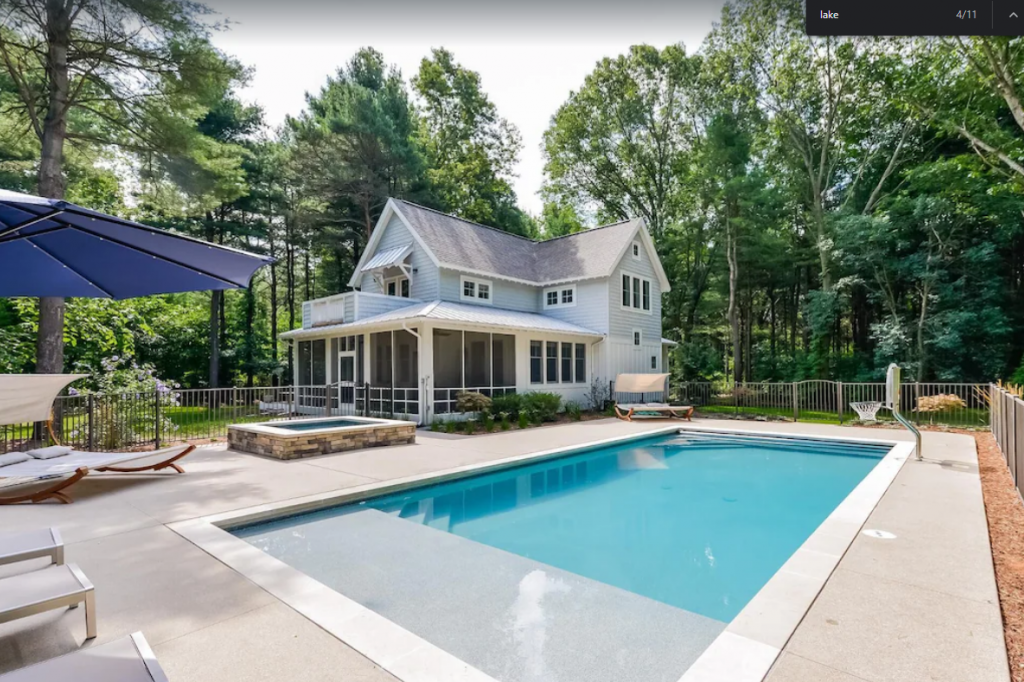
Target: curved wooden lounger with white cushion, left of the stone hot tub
49,479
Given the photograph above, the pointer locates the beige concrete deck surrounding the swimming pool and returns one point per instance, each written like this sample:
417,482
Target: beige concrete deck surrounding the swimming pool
920,607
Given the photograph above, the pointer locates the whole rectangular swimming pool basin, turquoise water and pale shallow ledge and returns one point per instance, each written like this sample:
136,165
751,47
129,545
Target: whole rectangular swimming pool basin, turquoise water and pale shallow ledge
620,564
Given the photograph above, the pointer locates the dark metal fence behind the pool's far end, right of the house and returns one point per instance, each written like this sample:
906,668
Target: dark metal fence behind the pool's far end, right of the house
956,405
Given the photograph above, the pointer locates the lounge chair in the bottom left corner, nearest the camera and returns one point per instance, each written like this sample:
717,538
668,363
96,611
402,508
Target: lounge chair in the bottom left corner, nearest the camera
125,660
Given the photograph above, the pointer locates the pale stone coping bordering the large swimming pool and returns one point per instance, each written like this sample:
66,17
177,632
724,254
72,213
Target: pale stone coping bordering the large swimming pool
745,652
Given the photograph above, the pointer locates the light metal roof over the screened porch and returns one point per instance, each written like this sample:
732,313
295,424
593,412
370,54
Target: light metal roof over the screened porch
448,312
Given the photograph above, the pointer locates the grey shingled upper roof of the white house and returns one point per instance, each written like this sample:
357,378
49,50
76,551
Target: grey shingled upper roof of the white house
464,245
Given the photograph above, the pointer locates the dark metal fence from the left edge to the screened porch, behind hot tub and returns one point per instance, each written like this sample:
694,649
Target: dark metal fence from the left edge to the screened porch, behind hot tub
141,421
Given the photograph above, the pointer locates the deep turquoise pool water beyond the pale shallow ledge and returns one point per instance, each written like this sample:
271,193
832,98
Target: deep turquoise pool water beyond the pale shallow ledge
700,523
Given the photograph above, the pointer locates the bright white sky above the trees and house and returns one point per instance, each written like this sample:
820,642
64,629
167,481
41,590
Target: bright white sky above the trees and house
531,55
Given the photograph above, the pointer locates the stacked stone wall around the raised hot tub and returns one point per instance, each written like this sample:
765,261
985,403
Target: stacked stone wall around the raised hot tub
300,445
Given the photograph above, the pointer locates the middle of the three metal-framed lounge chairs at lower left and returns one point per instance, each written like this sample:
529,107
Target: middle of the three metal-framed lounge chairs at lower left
40,591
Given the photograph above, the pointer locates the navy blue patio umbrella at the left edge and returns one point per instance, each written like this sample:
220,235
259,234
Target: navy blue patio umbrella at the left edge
55,248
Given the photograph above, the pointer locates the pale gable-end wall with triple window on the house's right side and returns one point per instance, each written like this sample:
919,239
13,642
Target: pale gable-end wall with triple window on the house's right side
623,357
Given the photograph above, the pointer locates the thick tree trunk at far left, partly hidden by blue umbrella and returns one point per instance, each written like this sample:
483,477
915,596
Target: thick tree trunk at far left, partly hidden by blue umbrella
51,183
